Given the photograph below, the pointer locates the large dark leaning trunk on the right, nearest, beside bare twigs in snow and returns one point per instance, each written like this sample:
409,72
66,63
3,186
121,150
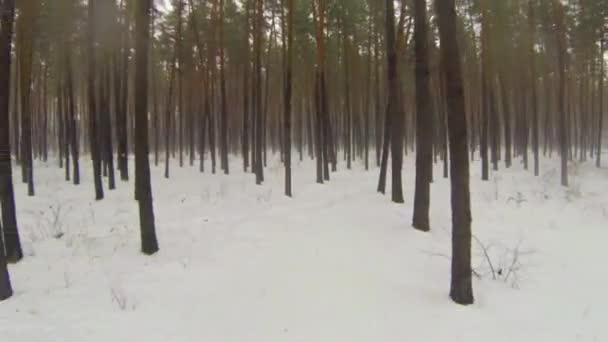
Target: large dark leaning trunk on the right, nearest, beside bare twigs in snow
461,289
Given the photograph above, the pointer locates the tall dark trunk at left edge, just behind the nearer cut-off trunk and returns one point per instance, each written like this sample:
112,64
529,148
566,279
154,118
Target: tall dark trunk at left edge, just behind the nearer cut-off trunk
10,230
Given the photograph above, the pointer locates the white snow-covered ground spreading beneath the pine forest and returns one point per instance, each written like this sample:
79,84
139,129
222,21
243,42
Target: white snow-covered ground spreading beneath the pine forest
339,262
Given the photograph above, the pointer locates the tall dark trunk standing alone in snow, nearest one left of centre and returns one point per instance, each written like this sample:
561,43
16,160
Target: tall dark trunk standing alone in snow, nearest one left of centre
143,189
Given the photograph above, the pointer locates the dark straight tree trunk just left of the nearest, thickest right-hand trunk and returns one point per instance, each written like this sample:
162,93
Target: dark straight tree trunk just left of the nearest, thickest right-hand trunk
424,119
